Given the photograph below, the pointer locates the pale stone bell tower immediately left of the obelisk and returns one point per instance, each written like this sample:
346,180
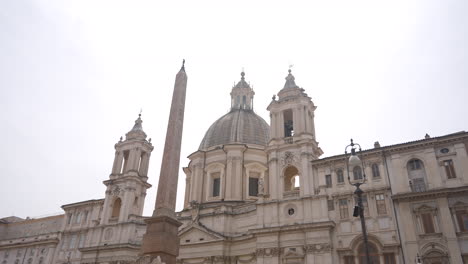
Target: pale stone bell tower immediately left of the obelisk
128,181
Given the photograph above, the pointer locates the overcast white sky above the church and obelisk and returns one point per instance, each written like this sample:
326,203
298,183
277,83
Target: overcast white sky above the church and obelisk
74,75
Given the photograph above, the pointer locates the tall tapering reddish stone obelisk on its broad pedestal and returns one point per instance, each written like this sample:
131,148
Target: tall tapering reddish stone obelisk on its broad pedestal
161,232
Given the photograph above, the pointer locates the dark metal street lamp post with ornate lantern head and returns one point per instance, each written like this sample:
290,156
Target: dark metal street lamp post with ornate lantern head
352,162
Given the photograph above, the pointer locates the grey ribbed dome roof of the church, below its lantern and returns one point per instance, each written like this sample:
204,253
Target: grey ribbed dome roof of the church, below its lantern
238,126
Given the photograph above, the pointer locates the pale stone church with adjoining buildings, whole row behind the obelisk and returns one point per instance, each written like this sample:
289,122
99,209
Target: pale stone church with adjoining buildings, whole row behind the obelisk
260,193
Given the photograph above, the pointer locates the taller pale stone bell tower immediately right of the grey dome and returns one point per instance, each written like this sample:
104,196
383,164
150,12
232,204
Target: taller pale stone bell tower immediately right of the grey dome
292,142
